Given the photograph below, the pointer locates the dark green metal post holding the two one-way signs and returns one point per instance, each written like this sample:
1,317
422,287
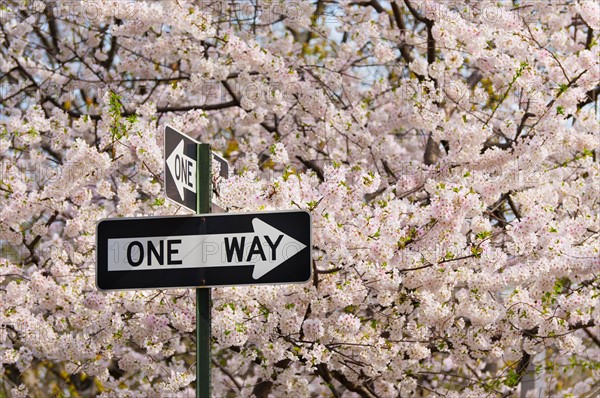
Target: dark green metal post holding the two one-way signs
203,296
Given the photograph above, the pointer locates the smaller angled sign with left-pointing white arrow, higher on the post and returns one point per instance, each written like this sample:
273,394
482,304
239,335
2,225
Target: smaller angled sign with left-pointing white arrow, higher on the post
181,155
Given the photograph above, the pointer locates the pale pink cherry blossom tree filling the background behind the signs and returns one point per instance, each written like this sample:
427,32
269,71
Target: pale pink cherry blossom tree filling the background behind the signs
446,150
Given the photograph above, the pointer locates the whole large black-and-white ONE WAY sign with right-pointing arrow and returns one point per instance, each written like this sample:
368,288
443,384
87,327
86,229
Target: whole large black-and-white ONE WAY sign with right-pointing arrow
203,250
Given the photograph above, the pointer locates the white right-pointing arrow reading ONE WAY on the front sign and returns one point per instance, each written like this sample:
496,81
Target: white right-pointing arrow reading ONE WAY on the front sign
265,249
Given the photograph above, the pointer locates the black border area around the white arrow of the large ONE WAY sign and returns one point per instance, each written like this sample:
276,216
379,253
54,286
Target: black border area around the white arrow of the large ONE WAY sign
296,270
